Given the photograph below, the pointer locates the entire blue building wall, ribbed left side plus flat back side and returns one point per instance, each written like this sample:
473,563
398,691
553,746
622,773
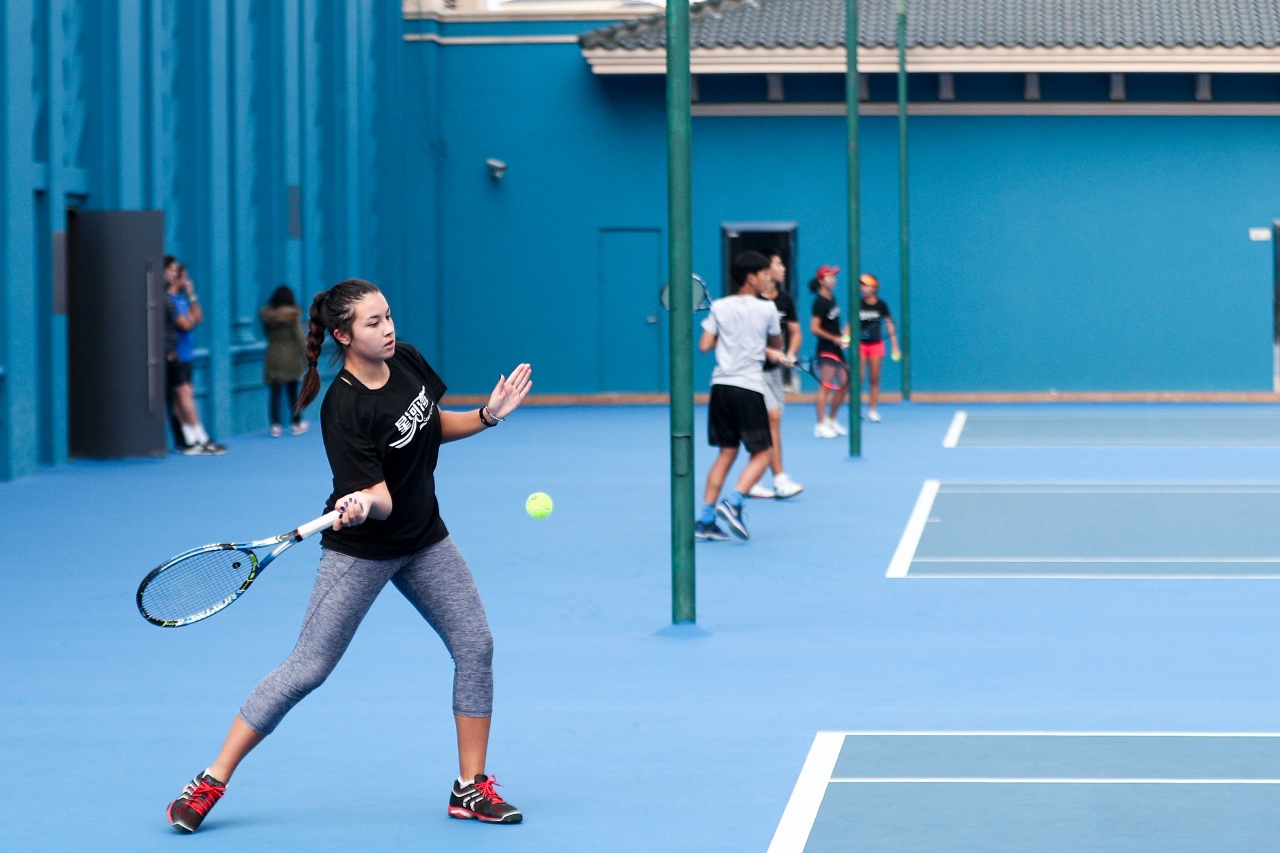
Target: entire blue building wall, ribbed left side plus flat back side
305,142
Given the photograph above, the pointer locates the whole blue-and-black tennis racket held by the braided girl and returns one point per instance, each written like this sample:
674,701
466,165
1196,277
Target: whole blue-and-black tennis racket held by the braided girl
199,583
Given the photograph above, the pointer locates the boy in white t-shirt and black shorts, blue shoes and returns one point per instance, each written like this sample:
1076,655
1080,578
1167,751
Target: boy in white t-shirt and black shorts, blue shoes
744,331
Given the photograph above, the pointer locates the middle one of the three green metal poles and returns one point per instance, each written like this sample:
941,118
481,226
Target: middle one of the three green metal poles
856,248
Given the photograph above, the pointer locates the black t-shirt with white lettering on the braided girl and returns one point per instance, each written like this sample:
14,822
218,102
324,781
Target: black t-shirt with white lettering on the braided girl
394,435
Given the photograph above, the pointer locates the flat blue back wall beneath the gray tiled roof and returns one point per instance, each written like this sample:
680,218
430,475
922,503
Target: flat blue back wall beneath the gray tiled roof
1067,253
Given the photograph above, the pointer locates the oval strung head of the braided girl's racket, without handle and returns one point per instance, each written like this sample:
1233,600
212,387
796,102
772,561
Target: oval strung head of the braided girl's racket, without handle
196,585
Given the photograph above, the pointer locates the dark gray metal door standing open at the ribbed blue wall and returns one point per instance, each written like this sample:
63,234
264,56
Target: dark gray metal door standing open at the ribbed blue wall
116,334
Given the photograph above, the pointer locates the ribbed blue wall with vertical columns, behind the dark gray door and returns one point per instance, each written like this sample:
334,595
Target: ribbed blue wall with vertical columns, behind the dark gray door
269,133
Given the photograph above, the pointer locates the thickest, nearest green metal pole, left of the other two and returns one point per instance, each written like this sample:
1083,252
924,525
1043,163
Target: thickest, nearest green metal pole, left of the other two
680,275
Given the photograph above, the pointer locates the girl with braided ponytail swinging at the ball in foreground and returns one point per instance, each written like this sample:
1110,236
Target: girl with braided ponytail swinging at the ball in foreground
383,431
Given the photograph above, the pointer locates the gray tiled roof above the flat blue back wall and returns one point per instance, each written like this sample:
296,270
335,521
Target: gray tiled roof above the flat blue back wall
963,24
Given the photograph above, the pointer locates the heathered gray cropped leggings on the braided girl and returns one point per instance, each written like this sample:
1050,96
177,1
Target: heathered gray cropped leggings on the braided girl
436,581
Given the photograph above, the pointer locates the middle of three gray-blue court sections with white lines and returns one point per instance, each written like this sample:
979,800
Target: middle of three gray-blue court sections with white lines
1091,531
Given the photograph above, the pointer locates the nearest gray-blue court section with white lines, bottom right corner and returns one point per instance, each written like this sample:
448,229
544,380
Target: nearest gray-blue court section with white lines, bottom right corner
1046,792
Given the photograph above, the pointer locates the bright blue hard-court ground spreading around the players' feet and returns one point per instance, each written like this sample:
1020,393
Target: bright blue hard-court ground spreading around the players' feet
610,726
